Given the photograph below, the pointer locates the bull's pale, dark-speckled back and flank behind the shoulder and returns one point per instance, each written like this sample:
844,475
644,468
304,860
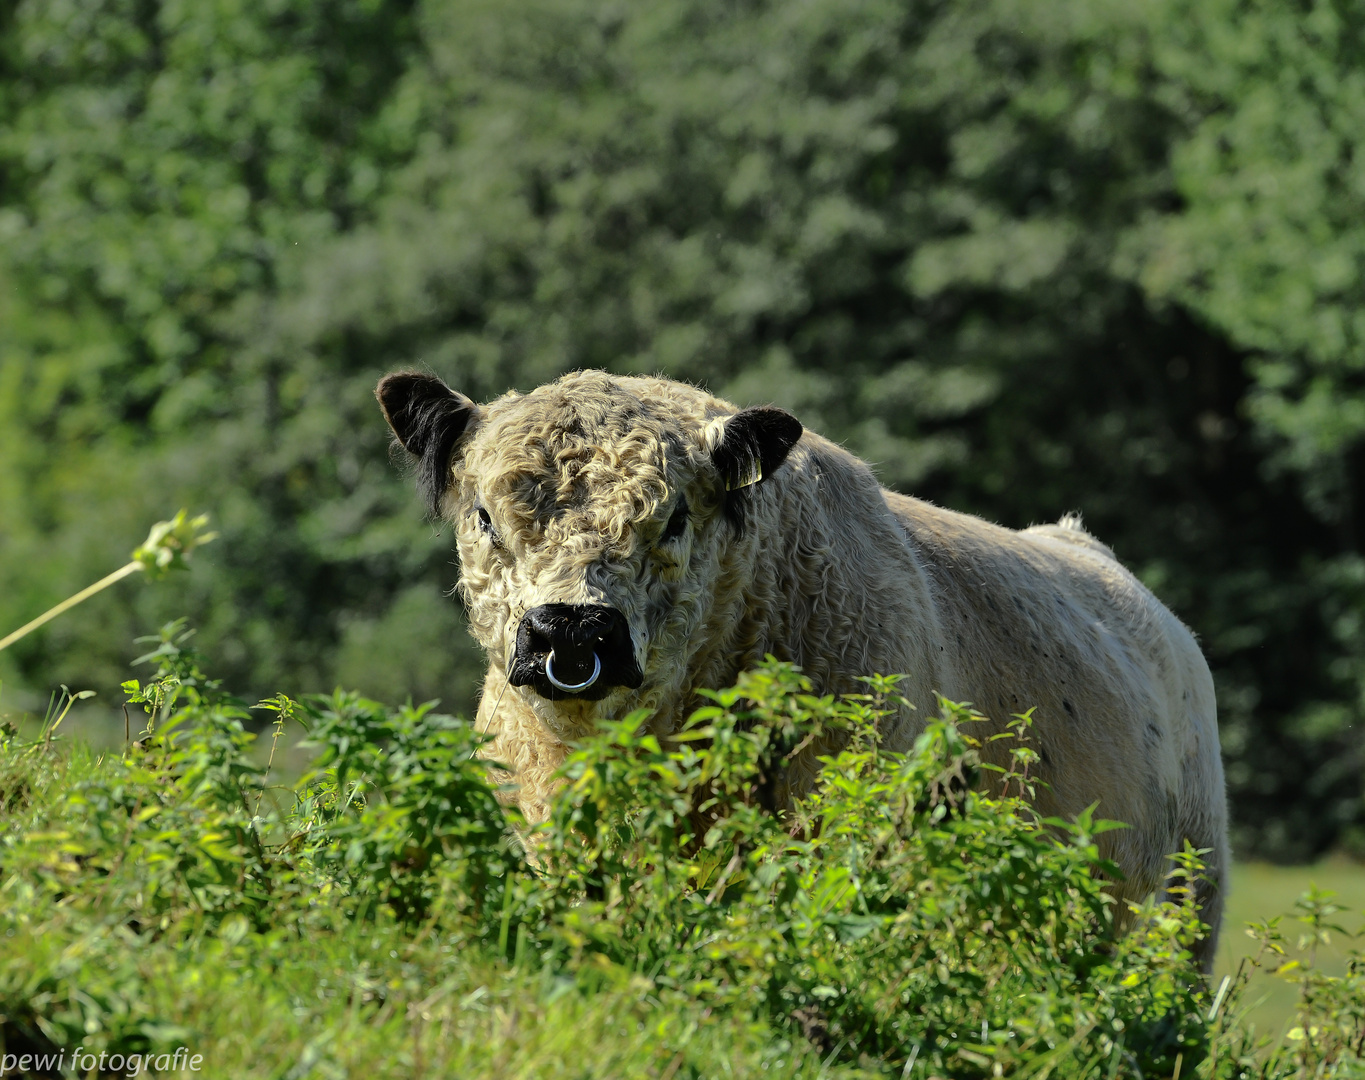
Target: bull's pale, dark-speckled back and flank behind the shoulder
1124,707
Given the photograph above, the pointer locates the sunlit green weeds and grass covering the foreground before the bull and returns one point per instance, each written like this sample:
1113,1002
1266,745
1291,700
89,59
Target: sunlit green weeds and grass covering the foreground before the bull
387,918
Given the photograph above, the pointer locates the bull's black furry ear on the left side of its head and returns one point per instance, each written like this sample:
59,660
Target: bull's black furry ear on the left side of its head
429,420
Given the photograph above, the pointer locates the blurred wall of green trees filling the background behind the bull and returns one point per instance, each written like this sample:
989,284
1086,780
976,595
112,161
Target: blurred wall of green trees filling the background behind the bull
1089,256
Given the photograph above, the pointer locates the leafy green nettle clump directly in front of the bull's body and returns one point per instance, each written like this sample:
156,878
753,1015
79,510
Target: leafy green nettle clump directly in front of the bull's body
897,914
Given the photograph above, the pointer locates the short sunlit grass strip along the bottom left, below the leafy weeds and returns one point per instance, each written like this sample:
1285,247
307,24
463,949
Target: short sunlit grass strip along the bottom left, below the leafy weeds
371,1001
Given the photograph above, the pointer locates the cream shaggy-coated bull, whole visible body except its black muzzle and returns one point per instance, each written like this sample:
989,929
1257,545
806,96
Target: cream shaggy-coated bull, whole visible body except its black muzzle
723,536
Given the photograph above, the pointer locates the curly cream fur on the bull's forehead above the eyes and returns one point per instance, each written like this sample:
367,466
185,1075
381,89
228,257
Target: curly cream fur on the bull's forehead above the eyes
590,454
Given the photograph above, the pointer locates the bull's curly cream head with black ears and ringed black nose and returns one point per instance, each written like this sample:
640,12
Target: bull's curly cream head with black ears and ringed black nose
600,524
